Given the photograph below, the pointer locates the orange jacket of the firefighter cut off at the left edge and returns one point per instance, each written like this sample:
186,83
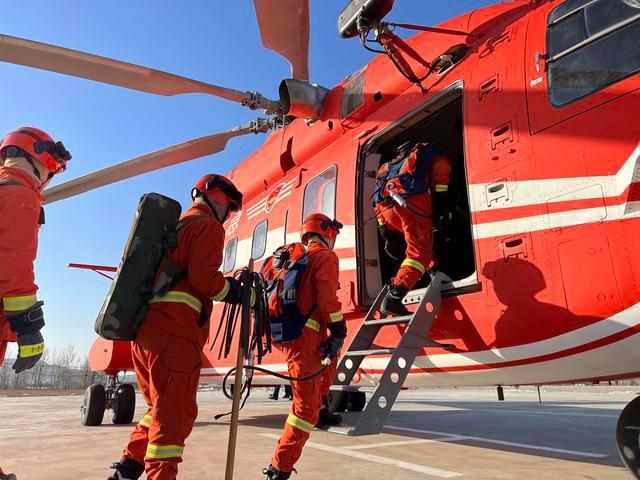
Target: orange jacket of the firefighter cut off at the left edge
20,205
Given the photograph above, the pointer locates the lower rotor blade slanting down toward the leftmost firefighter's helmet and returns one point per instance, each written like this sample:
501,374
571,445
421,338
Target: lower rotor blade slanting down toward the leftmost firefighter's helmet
200,147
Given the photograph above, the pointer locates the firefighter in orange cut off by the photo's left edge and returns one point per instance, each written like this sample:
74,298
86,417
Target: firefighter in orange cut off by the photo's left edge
30,158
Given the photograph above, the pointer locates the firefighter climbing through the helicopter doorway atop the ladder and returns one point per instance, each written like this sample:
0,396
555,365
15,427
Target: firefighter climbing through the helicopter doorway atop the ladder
405,189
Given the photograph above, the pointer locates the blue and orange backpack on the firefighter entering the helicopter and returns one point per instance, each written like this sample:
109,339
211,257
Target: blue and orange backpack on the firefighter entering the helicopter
406,175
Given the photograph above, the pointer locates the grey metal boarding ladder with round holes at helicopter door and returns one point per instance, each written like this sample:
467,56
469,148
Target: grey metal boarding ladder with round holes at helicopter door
373,417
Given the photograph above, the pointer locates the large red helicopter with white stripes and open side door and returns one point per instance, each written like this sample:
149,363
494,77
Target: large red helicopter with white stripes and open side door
532,100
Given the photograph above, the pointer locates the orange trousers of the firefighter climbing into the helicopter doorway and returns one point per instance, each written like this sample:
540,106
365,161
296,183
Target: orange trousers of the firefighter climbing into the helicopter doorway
418,234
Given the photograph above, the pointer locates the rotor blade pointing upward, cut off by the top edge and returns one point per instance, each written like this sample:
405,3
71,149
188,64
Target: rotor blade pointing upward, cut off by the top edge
284,28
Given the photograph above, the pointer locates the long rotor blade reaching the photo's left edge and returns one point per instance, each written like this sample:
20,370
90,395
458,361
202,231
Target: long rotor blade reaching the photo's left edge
114,72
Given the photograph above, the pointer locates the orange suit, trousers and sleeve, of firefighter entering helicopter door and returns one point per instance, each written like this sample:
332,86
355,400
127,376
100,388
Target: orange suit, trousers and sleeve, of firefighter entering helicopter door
417,228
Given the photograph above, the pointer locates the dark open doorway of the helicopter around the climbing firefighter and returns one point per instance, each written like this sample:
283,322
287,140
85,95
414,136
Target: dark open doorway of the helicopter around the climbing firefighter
438,122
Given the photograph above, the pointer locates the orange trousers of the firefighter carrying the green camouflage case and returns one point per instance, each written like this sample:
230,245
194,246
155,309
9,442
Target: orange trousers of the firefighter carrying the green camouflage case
167,370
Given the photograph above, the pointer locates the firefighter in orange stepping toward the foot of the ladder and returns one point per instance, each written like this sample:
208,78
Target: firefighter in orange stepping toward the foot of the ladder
304,355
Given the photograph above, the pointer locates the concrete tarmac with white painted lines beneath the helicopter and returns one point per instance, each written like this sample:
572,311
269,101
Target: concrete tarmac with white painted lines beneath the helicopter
431,434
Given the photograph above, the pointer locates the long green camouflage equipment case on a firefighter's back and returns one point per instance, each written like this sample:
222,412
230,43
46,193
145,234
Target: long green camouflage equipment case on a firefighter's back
152,236
